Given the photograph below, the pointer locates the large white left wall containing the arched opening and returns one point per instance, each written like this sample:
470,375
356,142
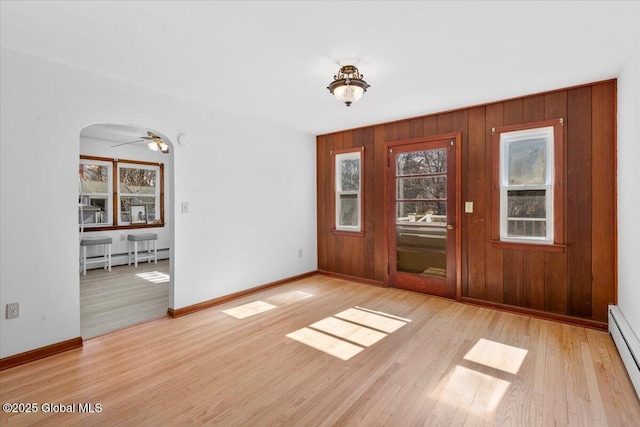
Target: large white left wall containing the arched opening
250,188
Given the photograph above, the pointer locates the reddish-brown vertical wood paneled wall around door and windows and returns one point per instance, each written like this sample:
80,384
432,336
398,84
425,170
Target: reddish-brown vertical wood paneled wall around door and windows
579,282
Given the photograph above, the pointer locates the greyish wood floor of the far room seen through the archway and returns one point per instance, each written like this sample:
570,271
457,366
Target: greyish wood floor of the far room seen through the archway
125,296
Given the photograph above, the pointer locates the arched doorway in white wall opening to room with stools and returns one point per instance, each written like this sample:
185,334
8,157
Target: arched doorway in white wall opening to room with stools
124,170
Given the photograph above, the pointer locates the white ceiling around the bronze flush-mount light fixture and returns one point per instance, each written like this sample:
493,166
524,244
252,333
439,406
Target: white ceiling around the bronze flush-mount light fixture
273,60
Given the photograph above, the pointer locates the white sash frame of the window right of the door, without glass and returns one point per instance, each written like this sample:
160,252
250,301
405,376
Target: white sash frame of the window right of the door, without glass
507,138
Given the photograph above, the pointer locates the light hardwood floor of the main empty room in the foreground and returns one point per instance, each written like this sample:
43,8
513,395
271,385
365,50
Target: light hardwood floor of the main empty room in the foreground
445,364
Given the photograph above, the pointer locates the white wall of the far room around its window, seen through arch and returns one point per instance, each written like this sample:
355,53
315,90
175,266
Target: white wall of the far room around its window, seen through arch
101,148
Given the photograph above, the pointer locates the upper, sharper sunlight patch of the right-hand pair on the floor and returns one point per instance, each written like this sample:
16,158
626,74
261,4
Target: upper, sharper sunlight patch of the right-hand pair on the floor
497,355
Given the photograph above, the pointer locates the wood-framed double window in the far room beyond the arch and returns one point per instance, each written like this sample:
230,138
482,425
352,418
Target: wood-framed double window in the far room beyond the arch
110,189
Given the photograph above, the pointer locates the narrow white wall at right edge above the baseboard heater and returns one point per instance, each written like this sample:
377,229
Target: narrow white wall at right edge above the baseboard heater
629,193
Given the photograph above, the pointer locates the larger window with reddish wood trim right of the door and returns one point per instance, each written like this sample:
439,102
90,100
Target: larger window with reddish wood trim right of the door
528,173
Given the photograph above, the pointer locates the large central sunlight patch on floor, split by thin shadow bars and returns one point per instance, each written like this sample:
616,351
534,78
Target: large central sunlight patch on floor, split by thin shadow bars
348,332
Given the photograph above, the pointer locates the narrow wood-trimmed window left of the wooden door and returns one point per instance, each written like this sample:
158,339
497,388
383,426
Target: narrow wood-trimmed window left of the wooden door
347,167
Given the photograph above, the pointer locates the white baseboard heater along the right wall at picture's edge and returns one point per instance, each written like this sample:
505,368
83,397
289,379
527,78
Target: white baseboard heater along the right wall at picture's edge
627,343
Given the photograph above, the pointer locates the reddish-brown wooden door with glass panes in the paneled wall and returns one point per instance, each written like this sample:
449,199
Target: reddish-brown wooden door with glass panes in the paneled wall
422,216
